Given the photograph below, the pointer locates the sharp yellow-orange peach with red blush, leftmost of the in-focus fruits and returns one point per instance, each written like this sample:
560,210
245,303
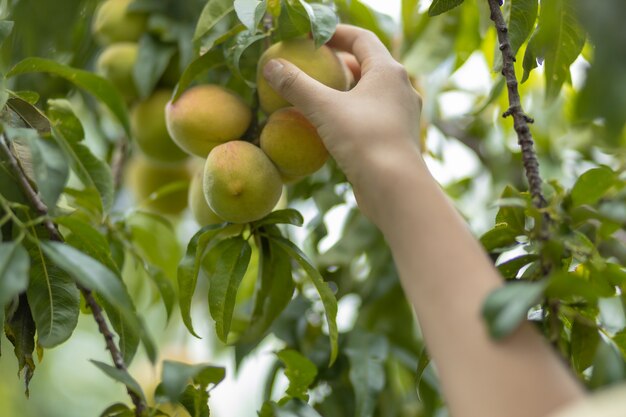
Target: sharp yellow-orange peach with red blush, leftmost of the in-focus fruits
206,116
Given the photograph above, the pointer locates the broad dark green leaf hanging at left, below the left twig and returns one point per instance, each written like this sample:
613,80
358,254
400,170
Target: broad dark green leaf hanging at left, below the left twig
53,298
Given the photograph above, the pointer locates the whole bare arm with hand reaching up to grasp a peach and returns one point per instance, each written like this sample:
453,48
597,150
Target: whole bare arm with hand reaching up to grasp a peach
372,132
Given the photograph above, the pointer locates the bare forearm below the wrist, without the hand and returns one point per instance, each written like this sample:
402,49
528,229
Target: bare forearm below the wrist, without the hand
446,276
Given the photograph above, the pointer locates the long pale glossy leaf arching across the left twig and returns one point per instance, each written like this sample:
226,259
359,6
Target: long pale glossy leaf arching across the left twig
91,274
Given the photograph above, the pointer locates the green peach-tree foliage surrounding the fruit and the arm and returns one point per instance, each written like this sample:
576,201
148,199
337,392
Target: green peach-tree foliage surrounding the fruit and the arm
64,135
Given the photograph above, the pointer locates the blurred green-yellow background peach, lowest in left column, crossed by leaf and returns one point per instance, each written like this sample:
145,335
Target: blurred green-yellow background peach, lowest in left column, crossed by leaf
146,177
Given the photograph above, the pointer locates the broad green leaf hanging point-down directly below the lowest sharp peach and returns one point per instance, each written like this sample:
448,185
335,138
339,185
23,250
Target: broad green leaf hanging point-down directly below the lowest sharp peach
225,274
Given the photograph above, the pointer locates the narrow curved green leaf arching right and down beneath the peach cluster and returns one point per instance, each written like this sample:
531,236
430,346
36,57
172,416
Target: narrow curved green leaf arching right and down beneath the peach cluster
326,295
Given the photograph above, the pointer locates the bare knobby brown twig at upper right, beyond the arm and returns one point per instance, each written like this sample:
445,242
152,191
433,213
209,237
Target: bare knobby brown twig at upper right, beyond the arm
520,119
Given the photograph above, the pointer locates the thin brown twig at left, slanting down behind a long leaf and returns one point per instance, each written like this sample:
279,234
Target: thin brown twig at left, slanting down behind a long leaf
39,206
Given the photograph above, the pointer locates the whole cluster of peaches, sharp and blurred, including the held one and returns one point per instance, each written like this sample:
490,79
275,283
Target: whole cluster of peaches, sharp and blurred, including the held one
236,181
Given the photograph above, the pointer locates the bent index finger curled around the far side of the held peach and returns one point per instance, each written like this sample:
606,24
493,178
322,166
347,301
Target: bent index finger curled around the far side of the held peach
361,43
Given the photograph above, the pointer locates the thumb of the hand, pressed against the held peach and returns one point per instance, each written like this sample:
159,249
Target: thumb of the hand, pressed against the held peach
294,85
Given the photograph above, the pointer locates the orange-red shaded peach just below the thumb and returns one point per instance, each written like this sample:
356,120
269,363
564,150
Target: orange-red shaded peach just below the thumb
293,144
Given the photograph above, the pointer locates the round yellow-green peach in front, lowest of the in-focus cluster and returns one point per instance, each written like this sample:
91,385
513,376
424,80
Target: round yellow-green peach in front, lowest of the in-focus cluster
241,184
